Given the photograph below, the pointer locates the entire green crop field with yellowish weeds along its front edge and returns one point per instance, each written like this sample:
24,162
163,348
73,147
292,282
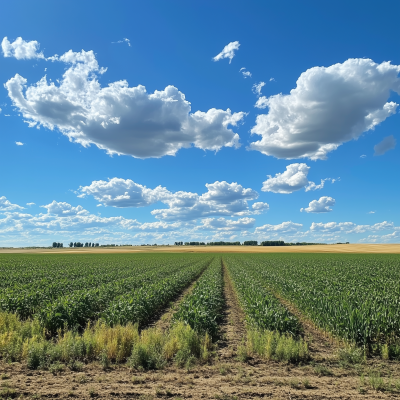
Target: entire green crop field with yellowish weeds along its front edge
155,311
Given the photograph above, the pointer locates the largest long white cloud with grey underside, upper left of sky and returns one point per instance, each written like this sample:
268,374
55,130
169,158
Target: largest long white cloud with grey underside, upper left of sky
118,118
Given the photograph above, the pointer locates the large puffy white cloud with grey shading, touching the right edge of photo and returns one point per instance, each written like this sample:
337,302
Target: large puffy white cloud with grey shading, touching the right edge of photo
328,107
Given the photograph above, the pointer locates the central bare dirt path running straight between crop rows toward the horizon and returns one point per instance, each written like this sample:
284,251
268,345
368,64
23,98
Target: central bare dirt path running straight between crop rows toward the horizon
233,328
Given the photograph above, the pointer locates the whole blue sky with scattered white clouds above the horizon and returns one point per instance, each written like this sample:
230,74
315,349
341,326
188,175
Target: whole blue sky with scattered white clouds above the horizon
155,122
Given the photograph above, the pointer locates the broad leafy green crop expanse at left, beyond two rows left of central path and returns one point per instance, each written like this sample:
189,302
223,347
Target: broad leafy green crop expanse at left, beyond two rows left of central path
68,291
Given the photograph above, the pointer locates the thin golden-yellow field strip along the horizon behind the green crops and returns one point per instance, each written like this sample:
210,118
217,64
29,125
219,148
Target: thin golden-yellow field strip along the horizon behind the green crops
332,248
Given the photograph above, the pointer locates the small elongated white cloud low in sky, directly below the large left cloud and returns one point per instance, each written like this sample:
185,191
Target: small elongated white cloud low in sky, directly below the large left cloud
118,192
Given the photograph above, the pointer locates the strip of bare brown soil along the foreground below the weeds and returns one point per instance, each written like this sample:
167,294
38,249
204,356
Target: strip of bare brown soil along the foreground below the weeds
223,380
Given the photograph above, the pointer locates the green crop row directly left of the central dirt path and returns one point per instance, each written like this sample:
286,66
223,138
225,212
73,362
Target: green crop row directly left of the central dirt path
202,308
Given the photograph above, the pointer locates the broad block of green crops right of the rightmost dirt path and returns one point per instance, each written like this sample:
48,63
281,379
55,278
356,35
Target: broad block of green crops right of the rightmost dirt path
355,297
